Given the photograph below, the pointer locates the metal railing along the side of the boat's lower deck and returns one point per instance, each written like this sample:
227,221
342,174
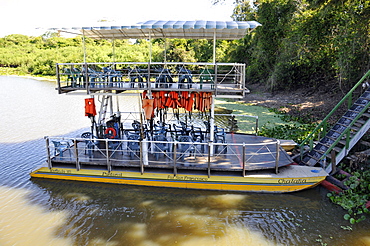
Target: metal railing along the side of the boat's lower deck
142,153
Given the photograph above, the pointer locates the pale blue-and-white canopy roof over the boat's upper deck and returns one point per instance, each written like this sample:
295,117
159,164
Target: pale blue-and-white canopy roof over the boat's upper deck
172,29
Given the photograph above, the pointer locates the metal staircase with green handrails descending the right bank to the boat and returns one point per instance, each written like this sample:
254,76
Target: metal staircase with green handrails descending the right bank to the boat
341,138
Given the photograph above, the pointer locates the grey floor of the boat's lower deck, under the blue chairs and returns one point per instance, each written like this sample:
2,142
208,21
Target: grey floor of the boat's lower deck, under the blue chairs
228,157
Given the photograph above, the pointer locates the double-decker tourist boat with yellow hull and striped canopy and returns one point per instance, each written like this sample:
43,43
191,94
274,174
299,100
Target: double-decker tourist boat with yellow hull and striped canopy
172,137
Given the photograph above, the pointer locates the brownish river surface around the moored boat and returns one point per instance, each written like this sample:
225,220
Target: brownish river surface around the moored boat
50,212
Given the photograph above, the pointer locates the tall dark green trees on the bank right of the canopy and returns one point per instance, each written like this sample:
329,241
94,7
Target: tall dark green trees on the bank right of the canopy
307,43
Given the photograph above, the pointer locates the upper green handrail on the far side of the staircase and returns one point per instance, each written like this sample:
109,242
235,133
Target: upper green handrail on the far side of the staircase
323,123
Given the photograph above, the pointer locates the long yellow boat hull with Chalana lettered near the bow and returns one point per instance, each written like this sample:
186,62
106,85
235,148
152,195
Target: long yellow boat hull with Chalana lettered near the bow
285,181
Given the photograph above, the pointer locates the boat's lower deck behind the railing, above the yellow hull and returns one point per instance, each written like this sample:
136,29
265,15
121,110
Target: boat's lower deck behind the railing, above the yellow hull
240,152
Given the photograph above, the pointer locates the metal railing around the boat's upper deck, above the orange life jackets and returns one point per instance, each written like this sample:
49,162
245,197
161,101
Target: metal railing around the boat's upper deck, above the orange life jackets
224,79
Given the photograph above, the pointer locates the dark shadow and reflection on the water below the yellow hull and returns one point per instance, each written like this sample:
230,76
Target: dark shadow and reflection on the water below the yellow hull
130,215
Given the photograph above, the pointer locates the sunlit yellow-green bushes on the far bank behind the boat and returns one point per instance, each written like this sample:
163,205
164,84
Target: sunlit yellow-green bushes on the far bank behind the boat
37,56
